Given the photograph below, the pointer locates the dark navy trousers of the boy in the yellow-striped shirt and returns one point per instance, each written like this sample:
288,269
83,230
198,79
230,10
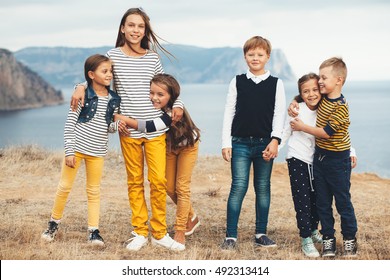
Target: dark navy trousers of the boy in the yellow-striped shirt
332,176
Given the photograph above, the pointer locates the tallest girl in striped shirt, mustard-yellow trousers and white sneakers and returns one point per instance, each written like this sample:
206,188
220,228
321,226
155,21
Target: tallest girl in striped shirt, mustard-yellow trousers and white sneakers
135,62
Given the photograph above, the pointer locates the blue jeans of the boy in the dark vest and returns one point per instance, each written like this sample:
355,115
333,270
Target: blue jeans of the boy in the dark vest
246,151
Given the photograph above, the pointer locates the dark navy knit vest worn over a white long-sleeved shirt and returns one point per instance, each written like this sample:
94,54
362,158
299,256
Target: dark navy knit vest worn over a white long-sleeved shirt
254,107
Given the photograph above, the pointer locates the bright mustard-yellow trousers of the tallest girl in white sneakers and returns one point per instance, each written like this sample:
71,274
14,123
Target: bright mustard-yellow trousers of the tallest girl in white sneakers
134,150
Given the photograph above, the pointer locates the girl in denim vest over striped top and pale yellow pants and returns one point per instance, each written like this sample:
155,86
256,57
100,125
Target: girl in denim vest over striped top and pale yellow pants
86,138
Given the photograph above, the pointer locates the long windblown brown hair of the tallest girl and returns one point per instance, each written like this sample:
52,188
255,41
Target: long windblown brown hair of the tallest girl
149,41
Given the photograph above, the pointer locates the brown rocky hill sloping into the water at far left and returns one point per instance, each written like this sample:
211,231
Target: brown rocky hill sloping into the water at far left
21,88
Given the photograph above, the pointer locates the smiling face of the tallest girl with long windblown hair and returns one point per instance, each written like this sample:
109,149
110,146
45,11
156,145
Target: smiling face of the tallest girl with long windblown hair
134,29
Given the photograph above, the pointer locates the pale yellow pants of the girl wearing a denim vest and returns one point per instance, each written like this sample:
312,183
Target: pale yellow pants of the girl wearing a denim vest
94,169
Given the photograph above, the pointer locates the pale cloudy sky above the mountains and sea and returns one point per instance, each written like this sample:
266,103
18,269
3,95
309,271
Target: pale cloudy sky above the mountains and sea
308,32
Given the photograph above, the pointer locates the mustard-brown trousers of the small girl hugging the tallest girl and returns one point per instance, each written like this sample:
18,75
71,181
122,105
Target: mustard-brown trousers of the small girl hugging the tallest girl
180,164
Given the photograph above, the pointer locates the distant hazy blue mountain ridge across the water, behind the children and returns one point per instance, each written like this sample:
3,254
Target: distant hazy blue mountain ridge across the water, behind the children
63,67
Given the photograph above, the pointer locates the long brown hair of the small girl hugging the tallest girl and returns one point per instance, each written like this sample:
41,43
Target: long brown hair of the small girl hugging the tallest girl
184,130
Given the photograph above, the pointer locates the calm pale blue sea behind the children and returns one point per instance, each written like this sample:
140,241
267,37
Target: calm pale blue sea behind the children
369,104
